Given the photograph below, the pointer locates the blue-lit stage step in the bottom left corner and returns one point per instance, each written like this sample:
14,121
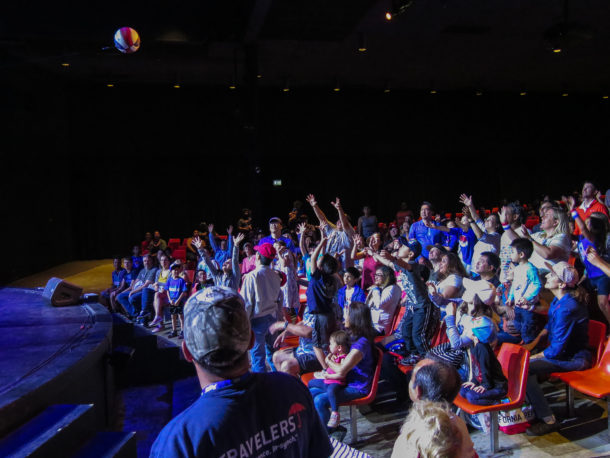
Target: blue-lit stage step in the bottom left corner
56,431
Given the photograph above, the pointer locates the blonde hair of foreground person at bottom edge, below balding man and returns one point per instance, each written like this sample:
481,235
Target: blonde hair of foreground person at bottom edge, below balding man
428,432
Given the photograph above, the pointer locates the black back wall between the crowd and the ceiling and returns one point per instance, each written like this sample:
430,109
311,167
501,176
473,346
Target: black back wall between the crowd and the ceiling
88,169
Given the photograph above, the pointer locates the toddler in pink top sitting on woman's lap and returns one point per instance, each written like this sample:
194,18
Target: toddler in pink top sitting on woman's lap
338,350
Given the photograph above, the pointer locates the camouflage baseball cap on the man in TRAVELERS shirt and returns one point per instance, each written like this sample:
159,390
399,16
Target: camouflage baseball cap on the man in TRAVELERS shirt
216,327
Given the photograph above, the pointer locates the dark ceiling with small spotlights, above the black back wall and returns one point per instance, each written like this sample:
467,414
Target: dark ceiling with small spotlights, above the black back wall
478,45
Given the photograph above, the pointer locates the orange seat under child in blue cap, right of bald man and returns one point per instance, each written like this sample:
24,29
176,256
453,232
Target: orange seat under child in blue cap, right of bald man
514,360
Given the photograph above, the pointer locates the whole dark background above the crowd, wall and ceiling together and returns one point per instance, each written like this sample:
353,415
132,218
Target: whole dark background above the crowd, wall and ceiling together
87,169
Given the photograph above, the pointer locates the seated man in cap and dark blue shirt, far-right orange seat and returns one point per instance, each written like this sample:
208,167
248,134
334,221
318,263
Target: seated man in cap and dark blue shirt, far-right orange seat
567,332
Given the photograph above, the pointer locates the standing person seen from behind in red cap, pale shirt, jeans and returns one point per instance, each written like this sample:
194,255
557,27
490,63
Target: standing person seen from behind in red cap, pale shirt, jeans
262,294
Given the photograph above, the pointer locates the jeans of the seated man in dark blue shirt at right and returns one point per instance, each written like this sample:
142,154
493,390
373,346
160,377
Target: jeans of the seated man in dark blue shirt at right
580,361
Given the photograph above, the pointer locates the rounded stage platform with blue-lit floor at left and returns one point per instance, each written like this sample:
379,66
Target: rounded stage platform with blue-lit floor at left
51,356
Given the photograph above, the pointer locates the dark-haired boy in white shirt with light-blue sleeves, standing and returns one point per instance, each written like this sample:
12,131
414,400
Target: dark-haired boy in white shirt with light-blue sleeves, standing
525,289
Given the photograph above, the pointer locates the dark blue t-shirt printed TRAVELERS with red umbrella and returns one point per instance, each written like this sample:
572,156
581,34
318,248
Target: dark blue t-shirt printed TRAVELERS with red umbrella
269,415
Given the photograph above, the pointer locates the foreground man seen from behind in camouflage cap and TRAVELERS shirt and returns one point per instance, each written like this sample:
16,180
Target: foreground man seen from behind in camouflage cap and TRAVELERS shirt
239,413
